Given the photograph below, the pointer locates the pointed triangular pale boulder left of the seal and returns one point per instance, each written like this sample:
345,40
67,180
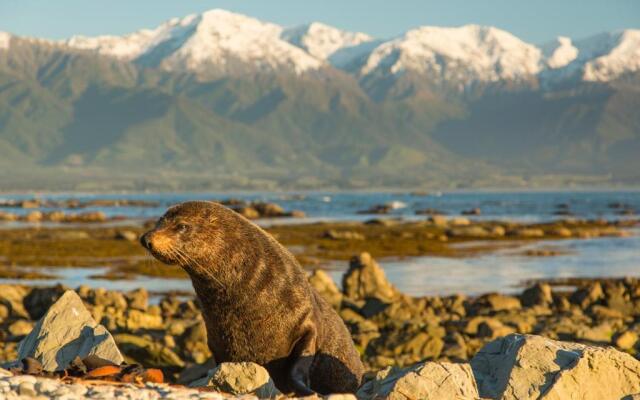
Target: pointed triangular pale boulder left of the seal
66,331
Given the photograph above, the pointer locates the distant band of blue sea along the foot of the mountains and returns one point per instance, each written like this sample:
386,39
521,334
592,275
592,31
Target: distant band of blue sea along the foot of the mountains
528,206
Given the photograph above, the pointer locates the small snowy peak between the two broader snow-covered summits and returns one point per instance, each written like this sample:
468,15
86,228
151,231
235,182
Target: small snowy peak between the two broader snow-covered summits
322,41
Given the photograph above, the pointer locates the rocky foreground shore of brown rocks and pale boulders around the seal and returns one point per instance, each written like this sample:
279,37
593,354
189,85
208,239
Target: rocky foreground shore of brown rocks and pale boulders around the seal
547,342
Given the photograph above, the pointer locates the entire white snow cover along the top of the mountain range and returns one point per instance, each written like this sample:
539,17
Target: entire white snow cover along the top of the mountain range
222,41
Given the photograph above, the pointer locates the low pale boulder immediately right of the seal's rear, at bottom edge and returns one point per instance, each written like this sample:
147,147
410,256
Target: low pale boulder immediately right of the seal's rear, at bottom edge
423,381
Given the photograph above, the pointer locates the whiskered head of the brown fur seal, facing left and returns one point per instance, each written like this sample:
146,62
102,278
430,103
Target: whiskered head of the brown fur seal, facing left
187,234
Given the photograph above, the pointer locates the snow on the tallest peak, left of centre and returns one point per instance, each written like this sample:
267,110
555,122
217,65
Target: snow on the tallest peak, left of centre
195,42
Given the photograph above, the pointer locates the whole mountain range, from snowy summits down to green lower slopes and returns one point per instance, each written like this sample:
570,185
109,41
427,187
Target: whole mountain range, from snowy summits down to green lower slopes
220,100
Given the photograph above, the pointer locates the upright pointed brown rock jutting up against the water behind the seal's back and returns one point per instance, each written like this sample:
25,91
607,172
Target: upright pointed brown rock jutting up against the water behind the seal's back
366,279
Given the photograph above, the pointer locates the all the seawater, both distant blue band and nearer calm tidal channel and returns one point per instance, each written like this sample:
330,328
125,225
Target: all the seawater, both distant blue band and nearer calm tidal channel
502,271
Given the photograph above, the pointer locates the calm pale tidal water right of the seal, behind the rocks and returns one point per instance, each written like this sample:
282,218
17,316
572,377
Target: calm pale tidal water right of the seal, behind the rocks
506,271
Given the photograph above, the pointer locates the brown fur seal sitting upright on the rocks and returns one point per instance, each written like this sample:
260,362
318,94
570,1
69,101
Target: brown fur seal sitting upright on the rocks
256,301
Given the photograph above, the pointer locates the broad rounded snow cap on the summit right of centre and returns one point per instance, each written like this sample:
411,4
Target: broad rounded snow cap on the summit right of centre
461,54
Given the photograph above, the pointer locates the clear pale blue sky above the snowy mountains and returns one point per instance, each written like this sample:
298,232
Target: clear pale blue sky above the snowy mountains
533,21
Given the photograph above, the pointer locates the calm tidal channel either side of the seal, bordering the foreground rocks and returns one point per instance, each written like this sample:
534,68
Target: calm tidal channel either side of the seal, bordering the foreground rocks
503,271
